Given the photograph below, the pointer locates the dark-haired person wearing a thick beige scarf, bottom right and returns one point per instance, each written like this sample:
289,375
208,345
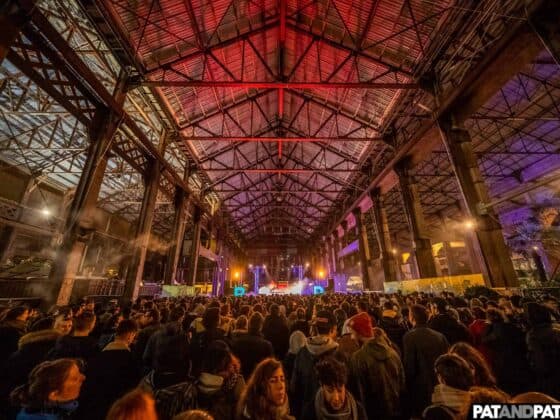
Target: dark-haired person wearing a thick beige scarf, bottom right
455,378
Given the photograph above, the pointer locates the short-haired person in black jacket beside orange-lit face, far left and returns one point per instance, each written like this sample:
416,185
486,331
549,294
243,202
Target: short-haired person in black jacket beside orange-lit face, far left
78,344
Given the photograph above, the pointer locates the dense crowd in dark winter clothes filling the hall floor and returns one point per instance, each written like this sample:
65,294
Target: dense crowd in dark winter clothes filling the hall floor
334,356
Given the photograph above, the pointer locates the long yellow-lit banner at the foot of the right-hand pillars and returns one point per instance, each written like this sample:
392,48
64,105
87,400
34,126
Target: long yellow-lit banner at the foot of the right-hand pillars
455,284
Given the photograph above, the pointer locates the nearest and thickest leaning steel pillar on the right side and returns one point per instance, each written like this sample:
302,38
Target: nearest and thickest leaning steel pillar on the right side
497,260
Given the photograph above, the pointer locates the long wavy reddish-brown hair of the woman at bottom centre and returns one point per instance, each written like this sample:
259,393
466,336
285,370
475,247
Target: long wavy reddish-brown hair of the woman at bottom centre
254,398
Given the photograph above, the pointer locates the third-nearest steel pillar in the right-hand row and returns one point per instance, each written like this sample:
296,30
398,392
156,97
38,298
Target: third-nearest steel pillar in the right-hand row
388,261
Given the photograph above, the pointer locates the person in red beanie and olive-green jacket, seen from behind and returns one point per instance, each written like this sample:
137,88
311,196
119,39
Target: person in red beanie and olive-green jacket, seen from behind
376,370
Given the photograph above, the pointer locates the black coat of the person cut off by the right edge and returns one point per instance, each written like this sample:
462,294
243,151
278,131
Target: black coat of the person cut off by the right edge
543,343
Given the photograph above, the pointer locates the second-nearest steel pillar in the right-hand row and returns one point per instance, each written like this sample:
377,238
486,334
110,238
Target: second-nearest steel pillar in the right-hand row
413,209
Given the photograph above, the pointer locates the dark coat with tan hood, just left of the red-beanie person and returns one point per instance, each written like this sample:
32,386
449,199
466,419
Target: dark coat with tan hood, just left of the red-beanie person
304,383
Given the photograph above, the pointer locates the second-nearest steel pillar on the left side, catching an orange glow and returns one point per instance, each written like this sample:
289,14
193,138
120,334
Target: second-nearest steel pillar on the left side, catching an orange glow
143,231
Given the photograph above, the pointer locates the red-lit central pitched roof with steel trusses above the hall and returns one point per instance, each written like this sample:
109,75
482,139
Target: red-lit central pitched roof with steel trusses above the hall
290,107
